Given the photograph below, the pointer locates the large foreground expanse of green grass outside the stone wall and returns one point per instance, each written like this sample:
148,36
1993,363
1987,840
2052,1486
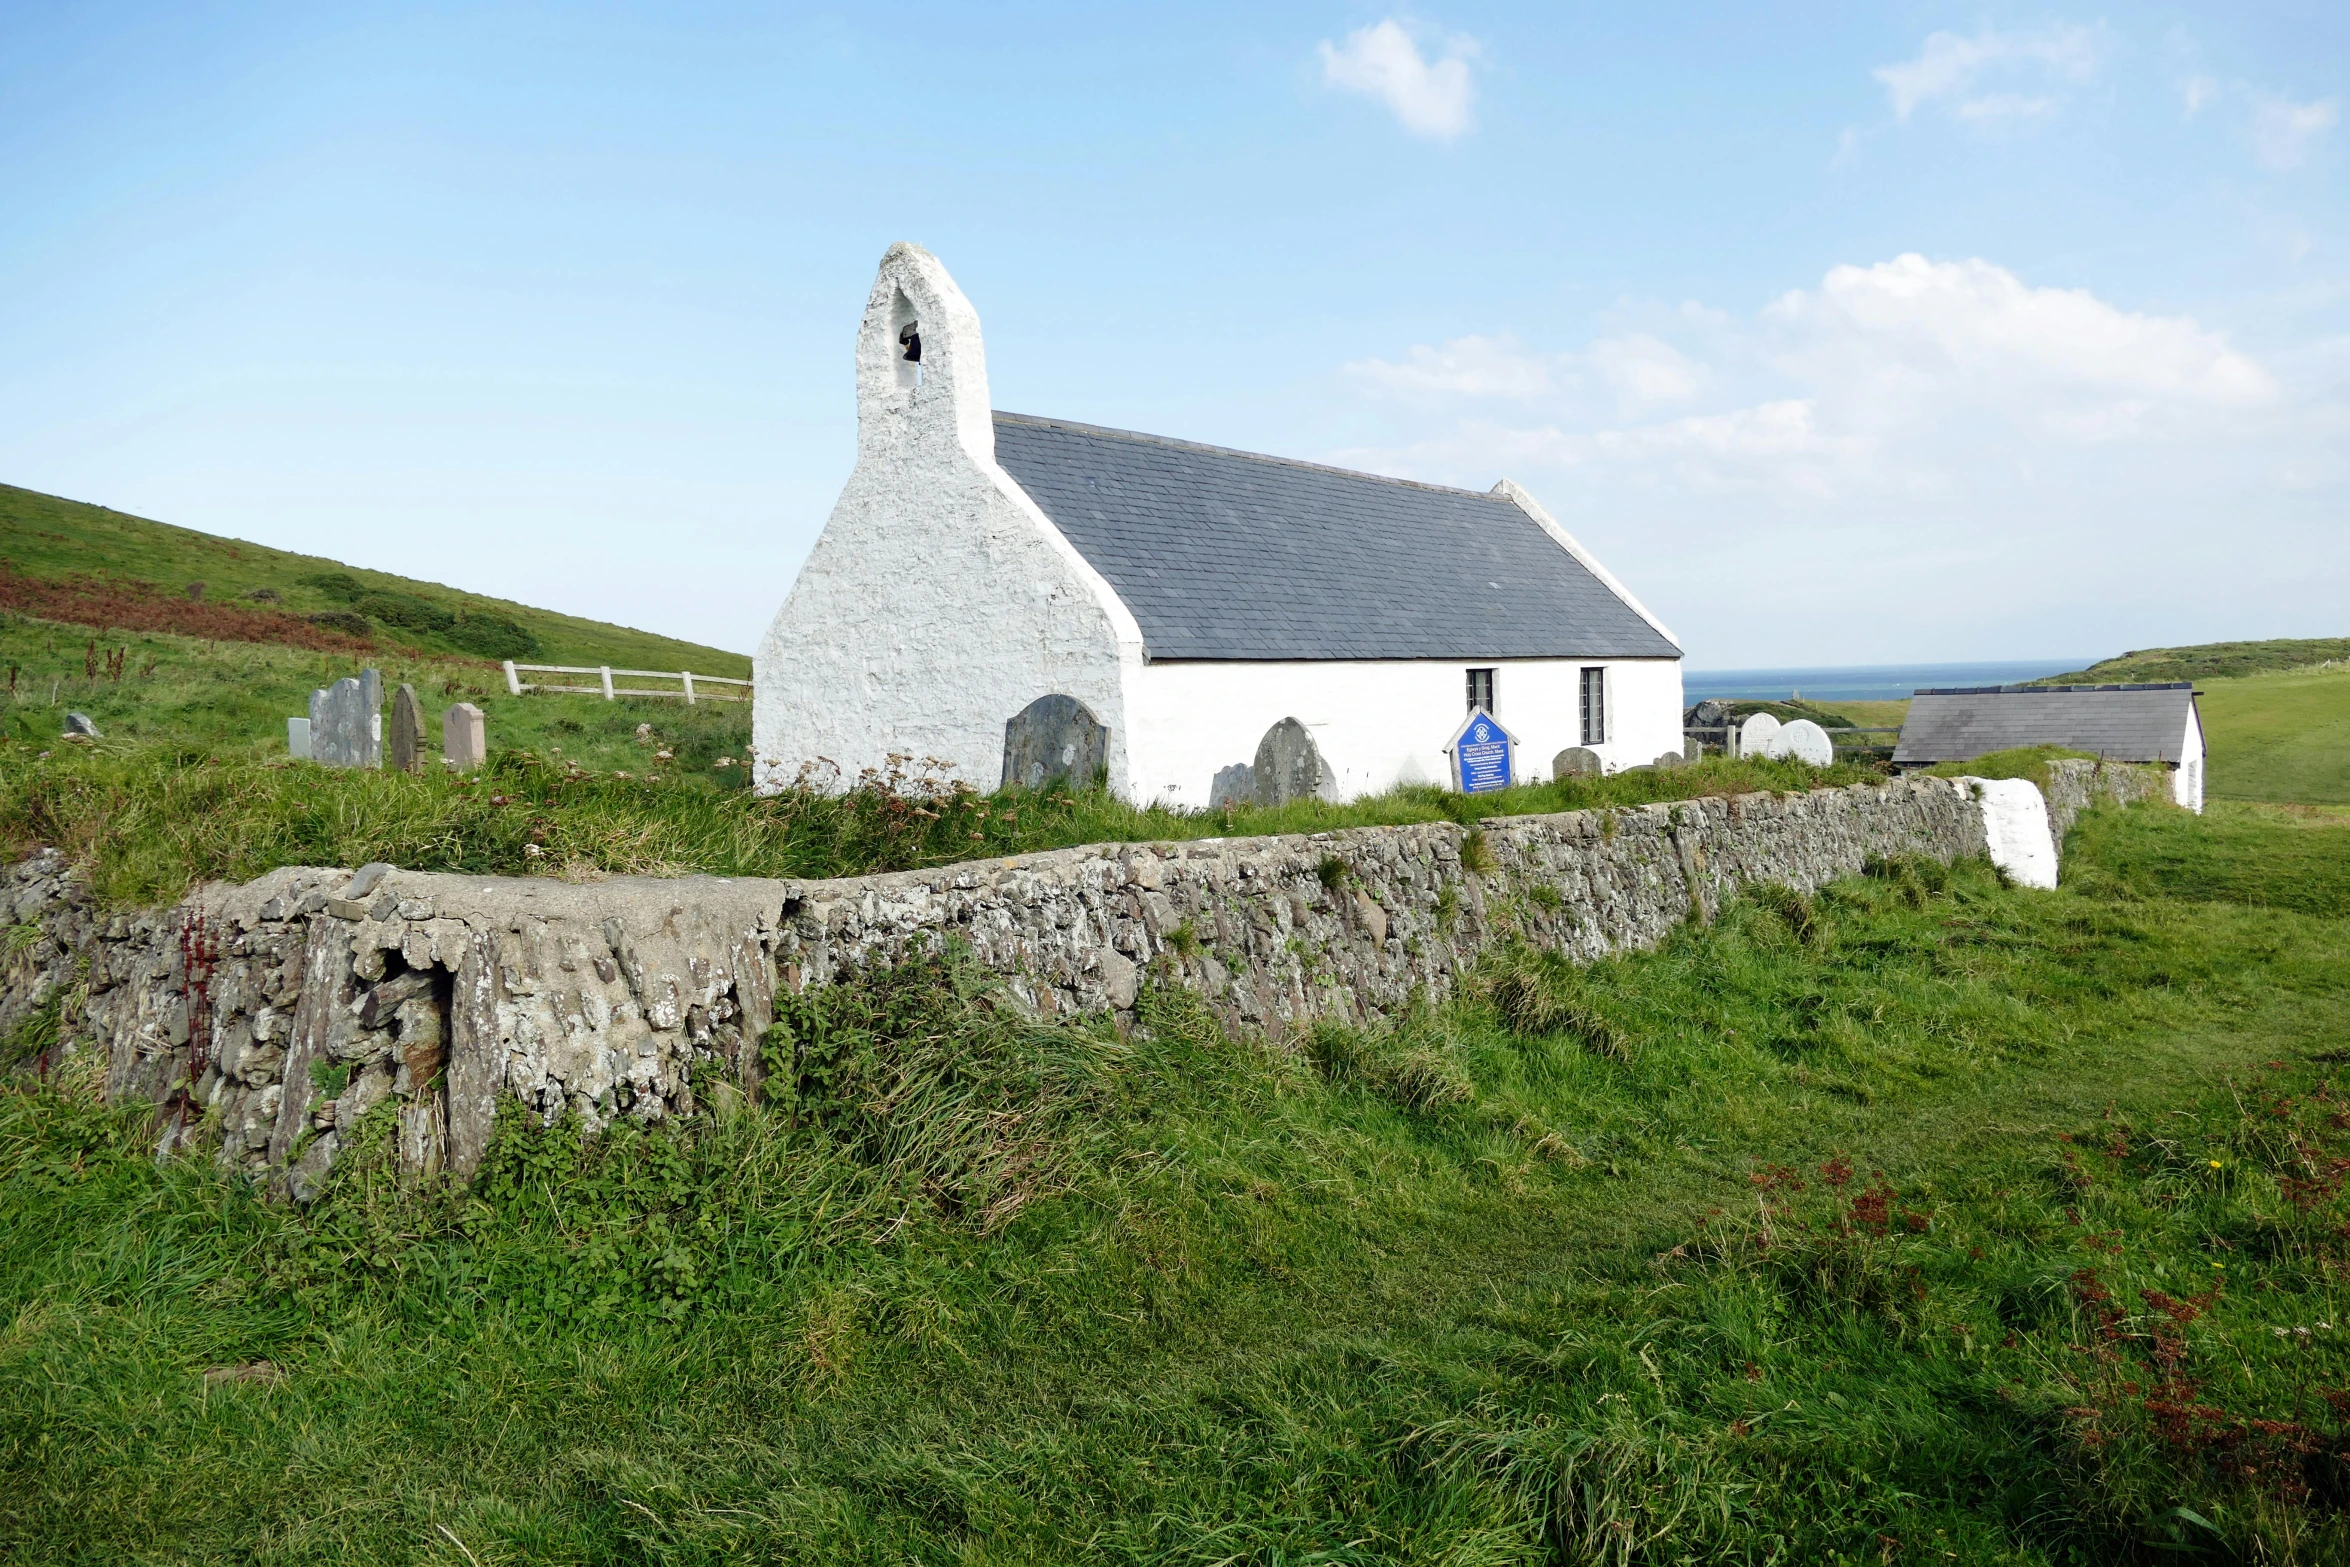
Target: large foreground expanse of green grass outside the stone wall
1919,1220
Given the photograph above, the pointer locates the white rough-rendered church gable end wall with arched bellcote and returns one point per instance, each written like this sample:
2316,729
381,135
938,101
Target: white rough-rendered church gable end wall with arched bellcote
939,600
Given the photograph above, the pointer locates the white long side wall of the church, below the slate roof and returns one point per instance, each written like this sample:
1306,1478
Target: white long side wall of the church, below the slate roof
1383,725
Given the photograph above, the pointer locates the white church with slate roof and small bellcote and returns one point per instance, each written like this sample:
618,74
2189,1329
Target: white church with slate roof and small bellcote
1186,598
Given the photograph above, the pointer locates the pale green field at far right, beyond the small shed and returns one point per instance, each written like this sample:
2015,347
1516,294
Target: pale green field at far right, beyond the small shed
2278,737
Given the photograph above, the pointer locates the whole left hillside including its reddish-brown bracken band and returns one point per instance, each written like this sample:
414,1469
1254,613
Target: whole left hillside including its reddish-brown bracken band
86,565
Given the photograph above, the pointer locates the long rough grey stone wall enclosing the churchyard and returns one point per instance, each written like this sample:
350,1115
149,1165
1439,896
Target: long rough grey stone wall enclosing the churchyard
267,1018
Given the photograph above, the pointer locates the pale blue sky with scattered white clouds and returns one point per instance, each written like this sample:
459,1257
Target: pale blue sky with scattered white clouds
1841,335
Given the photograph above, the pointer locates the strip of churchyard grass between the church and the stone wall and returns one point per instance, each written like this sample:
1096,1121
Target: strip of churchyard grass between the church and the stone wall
147,821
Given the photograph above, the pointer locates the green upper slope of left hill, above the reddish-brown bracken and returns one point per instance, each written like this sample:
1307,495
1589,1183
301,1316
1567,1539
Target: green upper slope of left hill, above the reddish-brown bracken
46,537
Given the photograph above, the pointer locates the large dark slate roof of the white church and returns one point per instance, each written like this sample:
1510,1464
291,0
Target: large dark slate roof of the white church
1228,556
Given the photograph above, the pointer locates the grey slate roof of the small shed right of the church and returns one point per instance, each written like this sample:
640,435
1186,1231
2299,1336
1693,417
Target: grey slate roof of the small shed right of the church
2114,722
